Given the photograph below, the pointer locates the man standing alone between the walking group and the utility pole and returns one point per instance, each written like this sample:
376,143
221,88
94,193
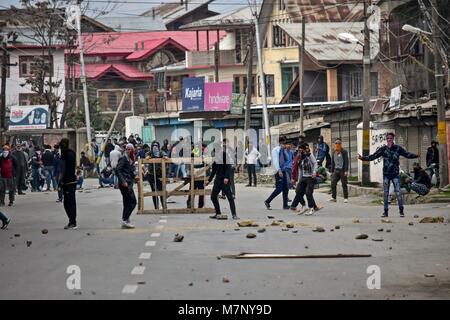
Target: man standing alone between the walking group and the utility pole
339,170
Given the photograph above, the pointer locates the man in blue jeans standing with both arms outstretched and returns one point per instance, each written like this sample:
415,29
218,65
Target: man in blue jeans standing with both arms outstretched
391,169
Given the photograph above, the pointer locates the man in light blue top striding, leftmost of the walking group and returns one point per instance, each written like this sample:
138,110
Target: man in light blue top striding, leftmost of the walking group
280,162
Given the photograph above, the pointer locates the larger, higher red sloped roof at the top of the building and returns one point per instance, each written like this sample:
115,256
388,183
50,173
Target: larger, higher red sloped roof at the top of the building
124,43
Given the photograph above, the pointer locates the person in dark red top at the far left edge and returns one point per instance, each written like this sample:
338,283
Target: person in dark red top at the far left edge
8,168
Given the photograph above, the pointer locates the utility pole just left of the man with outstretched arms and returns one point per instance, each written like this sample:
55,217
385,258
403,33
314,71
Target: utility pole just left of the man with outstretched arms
366,99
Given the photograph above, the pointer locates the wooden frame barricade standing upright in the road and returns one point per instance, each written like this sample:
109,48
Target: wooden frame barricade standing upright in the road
193,176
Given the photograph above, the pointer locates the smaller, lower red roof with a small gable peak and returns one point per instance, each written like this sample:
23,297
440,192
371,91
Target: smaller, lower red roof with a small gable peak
126,72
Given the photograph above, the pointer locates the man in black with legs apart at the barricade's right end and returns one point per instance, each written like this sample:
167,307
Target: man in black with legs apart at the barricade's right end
221,170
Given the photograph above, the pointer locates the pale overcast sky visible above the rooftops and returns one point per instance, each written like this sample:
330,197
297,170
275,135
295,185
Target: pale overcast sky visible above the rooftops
135,8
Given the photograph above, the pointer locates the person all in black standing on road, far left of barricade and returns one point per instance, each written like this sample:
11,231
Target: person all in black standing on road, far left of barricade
68,182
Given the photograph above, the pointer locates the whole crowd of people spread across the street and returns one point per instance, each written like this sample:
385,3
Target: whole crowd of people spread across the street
27,166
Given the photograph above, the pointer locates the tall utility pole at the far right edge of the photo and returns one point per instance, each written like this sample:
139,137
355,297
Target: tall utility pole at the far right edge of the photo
440,98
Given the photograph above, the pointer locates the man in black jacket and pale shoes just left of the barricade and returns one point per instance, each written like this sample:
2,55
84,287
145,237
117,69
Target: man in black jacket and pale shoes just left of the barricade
125,175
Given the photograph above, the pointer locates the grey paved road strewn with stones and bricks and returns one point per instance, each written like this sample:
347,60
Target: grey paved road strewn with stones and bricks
145,263
